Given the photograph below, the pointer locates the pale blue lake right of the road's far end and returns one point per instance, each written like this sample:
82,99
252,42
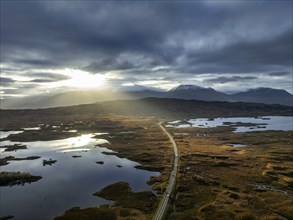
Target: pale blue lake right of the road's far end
283,123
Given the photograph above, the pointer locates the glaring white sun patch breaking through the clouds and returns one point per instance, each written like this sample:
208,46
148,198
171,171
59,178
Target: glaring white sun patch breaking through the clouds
83,80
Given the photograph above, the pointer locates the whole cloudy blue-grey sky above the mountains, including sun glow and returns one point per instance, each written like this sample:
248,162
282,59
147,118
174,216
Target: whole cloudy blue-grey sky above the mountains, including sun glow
49,47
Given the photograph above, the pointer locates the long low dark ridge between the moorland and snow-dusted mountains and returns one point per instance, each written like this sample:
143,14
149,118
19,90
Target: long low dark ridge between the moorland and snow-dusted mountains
149,107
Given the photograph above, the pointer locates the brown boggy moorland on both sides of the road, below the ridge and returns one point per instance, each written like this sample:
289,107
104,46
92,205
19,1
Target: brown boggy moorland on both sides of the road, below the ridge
215,181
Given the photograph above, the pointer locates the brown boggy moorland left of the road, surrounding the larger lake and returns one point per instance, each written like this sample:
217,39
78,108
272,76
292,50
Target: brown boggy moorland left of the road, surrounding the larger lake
139,139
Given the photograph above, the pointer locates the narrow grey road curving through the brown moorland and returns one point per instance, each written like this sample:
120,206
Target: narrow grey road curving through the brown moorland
172,179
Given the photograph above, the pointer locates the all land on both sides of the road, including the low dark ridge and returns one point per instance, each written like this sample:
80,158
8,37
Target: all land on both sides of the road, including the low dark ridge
215,181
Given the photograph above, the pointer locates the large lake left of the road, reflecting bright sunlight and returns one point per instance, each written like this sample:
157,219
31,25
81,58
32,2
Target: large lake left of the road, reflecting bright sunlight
70,182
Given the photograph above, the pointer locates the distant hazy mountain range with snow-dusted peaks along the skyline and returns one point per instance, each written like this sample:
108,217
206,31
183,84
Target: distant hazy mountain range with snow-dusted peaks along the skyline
187,92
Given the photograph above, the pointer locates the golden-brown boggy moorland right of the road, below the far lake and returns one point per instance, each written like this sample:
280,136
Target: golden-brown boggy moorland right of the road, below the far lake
219,181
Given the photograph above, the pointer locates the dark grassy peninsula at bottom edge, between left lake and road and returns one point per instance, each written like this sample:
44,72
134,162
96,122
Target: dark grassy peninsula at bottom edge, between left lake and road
138,205
